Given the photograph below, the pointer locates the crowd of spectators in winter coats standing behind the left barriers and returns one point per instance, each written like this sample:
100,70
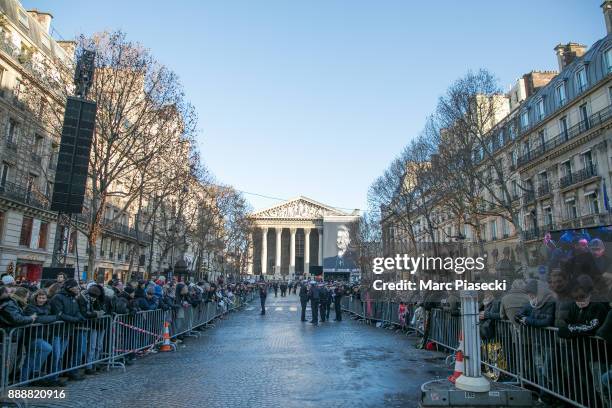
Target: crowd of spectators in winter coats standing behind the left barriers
44,347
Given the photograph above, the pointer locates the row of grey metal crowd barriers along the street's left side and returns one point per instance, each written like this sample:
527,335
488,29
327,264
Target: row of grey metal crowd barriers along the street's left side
44,351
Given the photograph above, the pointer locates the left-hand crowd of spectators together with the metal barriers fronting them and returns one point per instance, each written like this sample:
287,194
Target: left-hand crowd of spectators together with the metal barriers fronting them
97,327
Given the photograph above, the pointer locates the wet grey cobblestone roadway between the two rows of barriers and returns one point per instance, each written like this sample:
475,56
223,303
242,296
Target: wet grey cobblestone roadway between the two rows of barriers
275,360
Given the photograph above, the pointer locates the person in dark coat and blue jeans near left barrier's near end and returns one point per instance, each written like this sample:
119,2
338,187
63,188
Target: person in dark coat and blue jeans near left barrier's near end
39,347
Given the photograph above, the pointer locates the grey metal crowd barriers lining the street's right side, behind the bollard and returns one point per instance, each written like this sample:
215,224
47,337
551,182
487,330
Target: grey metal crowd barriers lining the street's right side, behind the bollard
571,370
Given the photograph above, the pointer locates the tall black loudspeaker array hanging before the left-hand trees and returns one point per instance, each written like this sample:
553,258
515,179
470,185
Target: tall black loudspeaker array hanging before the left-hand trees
73,159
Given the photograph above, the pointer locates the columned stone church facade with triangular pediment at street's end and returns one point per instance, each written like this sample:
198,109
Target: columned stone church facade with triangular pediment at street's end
288,238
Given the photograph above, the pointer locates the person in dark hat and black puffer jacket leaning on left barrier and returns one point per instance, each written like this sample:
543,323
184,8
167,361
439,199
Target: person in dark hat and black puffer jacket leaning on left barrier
65,306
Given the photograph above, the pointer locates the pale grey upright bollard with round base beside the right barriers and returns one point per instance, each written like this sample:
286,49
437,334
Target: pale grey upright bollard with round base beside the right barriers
472,379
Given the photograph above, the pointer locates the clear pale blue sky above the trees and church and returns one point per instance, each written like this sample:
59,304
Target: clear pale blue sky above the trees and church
315,98
